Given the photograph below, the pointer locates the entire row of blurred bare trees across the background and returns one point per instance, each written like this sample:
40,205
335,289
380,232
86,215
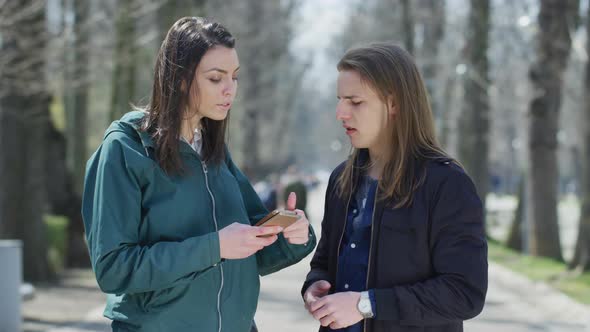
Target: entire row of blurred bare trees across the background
68,68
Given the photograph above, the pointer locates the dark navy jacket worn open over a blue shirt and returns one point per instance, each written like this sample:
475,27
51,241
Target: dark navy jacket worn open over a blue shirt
429,263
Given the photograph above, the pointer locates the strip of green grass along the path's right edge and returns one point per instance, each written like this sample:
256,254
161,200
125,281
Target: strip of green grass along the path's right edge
554,273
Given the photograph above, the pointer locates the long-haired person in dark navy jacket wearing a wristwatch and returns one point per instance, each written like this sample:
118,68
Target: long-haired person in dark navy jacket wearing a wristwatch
402,245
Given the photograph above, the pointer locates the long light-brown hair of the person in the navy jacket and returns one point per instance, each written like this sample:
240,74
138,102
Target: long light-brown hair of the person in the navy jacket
391,72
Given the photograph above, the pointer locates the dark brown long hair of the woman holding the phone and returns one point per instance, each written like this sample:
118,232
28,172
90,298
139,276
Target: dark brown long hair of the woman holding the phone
180,54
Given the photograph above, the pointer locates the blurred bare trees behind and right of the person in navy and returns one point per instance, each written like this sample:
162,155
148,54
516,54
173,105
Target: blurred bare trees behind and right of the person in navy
489,43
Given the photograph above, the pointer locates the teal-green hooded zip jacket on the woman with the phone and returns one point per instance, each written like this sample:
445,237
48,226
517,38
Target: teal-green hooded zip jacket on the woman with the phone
153,238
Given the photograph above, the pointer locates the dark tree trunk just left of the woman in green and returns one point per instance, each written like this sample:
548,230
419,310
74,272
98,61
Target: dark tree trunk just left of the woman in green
76,109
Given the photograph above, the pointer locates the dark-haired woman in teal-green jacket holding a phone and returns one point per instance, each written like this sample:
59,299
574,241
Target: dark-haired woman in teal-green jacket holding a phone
168,215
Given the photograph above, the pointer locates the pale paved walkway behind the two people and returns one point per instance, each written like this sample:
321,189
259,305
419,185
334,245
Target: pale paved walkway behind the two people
514,304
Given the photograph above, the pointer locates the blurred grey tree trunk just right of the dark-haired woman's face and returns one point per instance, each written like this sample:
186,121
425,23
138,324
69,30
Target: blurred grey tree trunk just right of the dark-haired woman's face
263,104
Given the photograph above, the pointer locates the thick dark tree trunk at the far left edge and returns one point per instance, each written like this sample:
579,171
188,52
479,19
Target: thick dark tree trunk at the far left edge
24,105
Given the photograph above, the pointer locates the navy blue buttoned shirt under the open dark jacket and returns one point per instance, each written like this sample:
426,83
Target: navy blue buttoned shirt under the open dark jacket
354,251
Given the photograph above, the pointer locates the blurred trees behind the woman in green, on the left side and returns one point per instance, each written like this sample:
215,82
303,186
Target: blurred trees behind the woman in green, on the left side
69,67
